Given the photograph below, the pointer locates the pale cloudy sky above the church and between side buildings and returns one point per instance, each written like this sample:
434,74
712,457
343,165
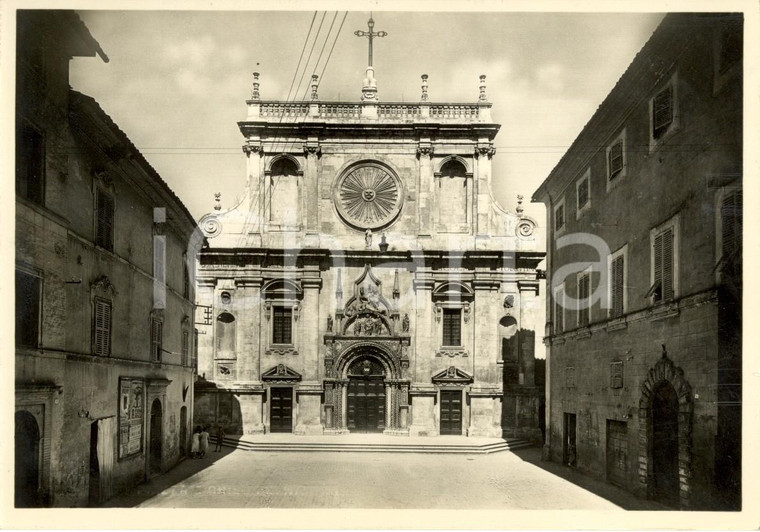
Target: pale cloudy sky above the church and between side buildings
177,81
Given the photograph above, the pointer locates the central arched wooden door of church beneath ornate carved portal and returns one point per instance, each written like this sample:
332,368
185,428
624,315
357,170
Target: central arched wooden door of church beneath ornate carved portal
366,395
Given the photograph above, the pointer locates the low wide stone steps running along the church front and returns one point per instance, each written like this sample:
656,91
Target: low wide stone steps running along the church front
375,447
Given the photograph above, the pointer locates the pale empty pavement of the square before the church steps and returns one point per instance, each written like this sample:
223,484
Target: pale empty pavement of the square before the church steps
244,479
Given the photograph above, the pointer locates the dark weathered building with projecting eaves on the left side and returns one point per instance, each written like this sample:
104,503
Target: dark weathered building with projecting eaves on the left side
104,294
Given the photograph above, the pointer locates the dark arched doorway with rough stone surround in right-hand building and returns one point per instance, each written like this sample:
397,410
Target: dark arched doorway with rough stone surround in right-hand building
665,444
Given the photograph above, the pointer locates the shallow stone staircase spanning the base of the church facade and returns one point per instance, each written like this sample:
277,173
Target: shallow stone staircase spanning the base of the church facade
361,443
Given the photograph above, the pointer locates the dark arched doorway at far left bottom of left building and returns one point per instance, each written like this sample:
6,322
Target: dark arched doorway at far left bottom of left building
27,439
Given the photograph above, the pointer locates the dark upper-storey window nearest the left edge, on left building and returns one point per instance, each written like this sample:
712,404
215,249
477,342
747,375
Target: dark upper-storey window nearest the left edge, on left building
30,162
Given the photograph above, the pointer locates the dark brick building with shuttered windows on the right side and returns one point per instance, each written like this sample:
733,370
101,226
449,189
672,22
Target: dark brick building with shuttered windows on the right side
644,383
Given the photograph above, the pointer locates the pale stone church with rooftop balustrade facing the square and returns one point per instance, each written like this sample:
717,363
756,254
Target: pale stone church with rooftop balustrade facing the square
367,281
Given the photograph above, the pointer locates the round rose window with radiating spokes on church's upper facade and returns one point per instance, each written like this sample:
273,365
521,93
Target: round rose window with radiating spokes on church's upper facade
369,196
